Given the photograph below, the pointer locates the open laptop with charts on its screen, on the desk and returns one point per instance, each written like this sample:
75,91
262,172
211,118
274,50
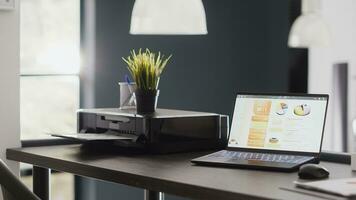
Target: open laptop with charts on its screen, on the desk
273,132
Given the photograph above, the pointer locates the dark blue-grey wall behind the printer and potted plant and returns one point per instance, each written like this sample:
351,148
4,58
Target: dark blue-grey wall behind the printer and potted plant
245,50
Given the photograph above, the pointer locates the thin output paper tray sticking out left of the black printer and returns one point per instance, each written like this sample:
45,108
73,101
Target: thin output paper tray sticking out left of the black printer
86,137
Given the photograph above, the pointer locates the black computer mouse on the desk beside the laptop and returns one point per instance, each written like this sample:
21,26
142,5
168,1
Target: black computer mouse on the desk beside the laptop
313,171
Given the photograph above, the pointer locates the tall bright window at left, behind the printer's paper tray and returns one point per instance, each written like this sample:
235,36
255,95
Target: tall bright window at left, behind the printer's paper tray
50,63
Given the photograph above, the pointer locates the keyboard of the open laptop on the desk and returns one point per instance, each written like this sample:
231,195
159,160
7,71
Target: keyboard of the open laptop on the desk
267,157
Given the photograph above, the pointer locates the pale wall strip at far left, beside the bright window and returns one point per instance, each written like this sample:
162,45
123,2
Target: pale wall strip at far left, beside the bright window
9,83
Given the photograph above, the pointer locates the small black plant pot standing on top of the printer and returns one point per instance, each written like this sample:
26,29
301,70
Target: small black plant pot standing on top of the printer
146,101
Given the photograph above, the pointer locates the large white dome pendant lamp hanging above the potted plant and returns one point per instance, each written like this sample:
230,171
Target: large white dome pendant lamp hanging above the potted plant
168,17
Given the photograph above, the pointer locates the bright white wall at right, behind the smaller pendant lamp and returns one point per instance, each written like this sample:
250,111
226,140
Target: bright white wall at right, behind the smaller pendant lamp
341,18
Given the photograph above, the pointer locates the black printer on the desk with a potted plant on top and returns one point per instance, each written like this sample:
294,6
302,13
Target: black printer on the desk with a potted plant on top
165,131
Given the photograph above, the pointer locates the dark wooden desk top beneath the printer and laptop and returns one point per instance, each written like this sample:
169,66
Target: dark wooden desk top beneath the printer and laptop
172,173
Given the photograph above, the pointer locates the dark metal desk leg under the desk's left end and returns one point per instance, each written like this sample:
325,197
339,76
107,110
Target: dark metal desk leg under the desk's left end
41,182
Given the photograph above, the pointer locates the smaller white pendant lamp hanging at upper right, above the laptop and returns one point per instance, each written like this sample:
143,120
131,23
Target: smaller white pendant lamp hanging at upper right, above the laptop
309,29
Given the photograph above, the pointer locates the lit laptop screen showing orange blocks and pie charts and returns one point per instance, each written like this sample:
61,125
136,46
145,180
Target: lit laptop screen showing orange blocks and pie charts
289,123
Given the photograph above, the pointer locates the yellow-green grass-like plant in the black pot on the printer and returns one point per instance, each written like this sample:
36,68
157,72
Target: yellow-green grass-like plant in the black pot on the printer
146,68
